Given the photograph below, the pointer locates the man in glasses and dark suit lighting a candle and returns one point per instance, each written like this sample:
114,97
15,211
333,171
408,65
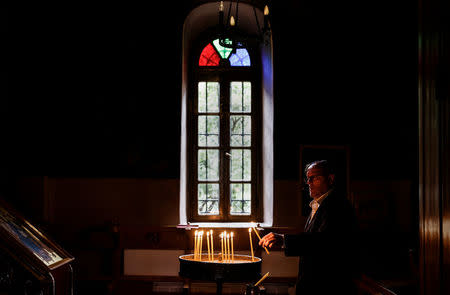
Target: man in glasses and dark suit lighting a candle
328,246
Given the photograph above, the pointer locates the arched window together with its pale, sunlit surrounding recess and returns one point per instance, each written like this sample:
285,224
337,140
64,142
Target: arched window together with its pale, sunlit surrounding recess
226,163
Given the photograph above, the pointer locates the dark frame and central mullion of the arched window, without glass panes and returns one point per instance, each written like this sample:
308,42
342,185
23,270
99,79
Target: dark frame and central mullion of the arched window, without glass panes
224,75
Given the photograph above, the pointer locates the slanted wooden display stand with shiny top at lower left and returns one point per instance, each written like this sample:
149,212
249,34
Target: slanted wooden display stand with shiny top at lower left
31,263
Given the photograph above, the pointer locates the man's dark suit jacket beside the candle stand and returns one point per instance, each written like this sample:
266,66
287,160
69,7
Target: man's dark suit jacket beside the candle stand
327,248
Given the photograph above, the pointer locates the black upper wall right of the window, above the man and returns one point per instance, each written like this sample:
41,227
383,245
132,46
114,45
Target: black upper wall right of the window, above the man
346,74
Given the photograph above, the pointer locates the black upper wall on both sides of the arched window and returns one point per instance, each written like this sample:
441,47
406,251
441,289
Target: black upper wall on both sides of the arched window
95,90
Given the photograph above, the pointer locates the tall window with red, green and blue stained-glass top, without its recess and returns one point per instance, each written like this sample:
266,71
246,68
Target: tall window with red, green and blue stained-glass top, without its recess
225,134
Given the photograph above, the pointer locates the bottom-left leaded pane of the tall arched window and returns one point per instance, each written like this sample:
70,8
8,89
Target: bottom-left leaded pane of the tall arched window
208,198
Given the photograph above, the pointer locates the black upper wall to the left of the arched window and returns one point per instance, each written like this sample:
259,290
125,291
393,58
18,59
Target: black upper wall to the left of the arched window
90,84
